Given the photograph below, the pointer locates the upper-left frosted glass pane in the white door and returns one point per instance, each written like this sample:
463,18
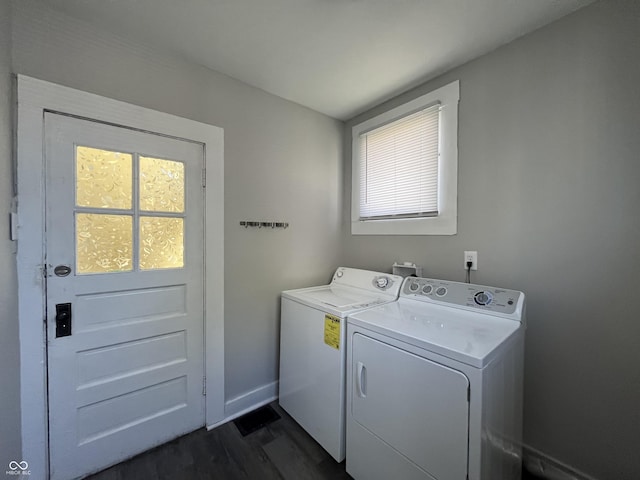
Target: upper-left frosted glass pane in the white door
103,178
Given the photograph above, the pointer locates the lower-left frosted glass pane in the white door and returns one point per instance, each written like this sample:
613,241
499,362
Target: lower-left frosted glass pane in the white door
104,243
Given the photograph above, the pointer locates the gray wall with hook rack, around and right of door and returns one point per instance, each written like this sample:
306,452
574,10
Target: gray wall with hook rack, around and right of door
282,162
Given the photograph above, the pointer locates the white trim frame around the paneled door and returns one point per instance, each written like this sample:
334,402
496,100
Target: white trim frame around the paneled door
35,97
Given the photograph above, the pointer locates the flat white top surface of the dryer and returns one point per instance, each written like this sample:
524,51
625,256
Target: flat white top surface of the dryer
469,337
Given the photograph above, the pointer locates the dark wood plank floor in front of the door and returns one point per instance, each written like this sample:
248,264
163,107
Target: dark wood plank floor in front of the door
280,450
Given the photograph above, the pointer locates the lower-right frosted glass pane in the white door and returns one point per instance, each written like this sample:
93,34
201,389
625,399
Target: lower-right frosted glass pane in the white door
161,243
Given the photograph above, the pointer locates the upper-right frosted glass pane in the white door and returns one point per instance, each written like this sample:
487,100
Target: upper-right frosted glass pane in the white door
161,185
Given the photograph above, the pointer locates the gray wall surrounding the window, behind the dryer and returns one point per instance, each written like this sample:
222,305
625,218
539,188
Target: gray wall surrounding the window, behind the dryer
549,189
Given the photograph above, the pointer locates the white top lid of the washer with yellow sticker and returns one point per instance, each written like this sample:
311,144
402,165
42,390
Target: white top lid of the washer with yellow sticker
337,300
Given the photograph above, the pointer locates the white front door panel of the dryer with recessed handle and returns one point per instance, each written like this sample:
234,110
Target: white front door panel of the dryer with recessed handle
415,406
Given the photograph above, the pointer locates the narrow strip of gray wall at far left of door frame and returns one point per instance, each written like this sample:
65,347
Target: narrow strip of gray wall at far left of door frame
9,354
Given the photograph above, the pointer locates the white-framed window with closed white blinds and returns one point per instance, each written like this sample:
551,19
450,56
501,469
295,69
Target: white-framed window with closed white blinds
405,168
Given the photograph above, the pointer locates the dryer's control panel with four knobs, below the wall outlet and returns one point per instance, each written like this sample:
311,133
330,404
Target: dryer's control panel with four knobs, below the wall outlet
463,295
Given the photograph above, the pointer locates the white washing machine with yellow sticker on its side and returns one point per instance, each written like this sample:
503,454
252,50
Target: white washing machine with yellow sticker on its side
312,349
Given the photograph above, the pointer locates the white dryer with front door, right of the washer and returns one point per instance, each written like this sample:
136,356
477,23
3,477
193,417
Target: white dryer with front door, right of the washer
434,384
